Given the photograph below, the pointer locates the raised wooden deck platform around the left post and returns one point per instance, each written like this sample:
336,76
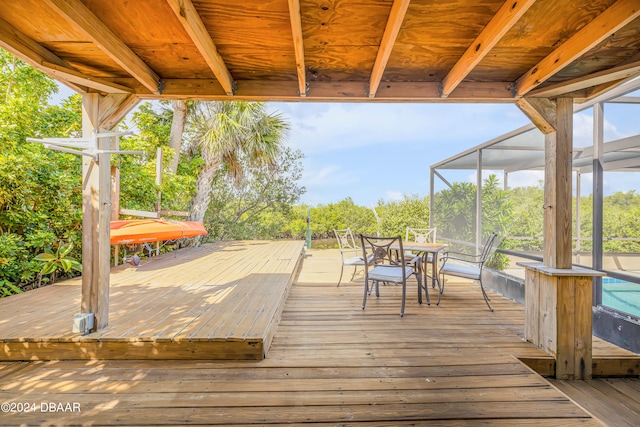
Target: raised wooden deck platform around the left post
217,301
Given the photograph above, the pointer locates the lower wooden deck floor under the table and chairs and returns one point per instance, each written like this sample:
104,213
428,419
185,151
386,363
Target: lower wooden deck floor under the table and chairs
330,363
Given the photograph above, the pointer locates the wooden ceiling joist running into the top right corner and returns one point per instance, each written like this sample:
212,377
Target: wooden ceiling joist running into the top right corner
615,17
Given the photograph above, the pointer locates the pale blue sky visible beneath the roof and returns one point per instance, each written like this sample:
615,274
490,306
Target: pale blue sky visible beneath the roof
377,151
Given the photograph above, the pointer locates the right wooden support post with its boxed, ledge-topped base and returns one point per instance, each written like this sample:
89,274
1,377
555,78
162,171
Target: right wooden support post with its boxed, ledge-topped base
558,297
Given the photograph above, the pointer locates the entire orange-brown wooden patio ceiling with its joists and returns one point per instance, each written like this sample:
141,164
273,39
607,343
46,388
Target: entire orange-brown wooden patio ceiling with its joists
329,50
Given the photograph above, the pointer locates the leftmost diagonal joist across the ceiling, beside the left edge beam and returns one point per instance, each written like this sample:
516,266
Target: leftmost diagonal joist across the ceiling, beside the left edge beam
77,14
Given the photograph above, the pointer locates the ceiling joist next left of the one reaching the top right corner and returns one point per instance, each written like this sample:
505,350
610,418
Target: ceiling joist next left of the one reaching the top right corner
510,12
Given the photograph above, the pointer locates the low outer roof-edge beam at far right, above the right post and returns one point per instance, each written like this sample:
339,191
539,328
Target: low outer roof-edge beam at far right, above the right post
595,79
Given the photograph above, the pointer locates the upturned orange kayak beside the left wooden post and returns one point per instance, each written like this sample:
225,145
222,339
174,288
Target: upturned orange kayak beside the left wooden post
153,230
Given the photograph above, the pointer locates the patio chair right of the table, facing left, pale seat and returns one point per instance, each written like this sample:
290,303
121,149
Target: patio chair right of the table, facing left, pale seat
468,266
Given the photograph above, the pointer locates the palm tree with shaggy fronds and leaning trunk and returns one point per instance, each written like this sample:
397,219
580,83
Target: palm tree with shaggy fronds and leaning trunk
225,132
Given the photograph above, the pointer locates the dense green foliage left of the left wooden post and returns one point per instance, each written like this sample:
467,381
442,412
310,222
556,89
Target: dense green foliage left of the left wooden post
40,190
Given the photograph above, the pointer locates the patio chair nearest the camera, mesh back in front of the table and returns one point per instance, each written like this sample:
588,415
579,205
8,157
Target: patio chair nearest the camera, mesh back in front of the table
387,264
